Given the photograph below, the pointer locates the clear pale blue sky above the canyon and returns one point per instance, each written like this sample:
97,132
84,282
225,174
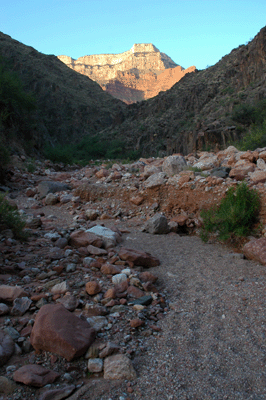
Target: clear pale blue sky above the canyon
191,32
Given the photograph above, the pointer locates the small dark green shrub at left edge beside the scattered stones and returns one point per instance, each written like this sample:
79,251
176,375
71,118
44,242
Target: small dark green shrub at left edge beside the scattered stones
11,219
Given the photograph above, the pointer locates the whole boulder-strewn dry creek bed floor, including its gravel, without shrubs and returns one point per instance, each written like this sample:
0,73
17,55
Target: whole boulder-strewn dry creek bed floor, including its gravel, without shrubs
81,309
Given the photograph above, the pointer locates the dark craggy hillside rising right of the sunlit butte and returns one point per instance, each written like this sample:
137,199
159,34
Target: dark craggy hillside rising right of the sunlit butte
196,112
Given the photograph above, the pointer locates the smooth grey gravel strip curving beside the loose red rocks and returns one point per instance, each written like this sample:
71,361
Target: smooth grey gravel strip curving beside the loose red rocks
212,343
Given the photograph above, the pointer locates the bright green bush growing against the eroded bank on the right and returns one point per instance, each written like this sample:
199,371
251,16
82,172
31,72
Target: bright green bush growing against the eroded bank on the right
235,216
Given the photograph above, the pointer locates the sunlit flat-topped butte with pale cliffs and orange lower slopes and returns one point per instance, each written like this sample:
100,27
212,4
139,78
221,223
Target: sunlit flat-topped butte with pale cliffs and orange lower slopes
137,74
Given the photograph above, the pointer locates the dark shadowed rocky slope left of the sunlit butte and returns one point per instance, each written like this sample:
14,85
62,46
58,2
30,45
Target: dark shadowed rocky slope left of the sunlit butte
69,105
